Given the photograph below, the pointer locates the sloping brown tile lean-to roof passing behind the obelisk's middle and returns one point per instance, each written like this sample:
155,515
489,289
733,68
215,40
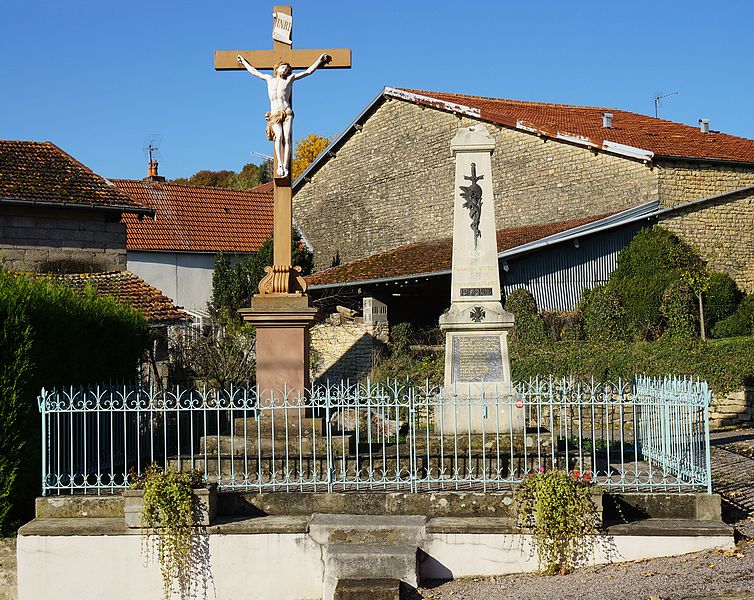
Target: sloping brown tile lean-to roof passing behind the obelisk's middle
431,256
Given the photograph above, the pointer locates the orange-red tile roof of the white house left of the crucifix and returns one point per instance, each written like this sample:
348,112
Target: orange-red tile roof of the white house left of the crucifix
198,218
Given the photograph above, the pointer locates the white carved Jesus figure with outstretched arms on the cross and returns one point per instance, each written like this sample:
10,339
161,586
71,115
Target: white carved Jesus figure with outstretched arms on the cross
280,117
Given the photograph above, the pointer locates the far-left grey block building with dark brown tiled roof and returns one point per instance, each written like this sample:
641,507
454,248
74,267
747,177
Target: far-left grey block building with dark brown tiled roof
57,215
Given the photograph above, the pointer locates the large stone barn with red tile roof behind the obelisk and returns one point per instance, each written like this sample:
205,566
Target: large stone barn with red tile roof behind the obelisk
388,181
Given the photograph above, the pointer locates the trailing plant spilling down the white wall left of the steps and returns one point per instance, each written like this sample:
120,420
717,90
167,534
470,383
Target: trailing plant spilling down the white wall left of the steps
170,512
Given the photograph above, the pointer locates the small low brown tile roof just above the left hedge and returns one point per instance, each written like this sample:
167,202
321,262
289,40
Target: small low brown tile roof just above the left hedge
126,287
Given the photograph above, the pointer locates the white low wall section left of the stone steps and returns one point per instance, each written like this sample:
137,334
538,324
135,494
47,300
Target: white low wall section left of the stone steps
239,565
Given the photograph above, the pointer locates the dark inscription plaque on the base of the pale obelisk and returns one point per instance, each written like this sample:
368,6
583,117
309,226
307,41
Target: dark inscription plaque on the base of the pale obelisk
476,358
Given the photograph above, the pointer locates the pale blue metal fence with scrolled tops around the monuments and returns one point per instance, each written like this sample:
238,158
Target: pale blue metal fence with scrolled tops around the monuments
648,434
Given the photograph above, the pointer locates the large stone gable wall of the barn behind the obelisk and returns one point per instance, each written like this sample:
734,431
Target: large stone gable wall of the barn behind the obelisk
392,183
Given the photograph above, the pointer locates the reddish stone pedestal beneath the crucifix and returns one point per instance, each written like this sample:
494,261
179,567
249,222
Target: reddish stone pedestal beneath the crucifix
282,323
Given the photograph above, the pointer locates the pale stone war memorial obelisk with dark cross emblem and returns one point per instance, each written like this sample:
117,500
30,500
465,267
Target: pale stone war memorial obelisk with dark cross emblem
477,391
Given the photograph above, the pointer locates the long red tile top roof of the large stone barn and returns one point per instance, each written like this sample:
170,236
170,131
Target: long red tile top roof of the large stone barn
663,138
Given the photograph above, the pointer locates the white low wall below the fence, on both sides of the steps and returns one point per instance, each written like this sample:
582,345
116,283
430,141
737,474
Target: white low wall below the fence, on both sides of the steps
283,565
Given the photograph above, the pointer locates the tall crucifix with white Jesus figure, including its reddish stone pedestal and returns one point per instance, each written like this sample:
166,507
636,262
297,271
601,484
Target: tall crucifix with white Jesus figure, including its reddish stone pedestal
281,311
